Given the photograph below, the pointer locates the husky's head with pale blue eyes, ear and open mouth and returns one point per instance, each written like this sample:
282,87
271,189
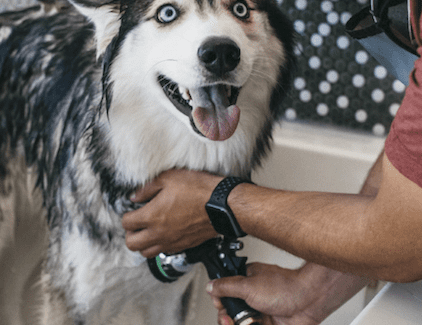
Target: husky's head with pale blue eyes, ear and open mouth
208,57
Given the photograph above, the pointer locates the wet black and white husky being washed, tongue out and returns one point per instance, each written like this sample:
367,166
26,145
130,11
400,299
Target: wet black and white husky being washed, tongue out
97,97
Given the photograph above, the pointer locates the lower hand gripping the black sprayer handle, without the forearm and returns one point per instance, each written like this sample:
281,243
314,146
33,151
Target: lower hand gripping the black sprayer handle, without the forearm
281,295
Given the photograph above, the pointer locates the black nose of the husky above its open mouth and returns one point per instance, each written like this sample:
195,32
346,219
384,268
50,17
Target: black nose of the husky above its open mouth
219,55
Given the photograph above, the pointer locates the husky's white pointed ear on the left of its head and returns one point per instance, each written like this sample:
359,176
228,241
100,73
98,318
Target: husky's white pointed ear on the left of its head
105,15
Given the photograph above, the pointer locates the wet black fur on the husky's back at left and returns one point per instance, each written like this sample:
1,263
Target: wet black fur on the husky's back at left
31,116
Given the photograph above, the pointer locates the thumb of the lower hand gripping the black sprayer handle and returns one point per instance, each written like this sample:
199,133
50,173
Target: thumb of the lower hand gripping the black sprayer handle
233,286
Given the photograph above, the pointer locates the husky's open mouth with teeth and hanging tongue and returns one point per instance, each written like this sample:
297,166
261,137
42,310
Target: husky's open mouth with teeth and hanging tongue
212,109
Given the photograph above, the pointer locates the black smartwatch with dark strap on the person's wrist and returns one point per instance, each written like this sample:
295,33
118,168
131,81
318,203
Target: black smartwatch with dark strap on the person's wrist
219,212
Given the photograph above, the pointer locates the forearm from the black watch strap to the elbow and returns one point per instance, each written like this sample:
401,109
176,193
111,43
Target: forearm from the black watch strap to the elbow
318,227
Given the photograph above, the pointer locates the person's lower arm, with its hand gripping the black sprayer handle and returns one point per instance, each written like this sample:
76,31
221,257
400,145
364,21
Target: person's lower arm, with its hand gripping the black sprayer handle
302,297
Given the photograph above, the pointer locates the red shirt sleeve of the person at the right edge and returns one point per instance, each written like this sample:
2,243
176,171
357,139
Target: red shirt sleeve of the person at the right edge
404,143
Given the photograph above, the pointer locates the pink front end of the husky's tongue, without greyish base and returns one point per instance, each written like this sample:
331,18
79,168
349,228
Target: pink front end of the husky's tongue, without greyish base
217,125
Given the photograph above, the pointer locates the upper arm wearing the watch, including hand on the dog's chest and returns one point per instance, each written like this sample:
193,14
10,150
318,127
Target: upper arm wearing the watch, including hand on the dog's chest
370,236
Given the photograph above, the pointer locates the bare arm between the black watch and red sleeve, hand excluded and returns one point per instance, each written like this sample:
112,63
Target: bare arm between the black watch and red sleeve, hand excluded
352,233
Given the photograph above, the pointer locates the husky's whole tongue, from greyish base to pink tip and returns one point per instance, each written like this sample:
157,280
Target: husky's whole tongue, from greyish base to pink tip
212,113
